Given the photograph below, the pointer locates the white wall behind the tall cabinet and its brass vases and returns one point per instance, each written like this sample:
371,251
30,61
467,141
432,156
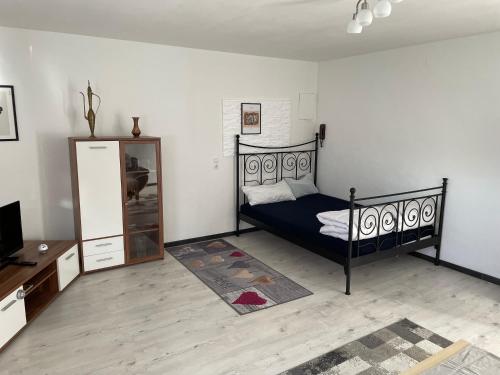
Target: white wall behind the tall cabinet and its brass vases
178,94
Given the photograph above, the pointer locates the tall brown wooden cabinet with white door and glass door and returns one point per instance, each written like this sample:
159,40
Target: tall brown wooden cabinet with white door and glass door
117,195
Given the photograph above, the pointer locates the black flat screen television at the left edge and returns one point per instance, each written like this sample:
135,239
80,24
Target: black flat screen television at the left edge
11,233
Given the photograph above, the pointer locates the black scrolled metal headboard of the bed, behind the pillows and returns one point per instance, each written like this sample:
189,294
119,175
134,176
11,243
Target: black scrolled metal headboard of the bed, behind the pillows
260,165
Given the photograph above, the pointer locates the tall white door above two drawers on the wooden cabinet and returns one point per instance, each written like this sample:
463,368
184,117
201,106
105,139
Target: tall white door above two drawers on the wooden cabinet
99,184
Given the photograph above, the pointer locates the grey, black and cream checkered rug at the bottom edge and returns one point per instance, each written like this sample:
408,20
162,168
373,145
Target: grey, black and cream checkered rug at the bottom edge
388,351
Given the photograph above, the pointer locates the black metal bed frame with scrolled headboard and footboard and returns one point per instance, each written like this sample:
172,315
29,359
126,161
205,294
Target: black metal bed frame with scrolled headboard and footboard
422,209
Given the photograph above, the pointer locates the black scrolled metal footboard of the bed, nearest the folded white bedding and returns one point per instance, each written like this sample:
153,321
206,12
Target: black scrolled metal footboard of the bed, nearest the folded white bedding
383,226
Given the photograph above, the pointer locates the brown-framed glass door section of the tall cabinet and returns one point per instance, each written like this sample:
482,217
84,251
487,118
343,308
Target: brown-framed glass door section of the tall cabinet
142,199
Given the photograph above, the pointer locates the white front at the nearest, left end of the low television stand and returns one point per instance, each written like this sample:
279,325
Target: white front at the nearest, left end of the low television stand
12,316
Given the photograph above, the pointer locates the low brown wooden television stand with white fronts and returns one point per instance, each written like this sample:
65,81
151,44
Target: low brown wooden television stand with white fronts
26,291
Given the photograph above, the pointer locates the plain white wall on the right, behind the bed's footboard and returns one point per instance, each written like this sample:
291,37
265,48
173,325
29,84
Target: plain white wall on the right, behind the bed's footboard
404,118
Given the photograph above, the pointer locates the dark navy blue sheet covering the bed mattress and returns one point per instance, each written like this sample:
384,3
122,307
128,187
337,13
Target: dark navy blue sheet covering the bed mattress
299,218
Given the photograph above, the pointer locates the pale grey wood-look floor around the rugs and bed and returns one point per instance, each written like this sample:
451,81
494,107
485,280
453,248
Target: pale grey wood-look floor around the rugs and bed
158,318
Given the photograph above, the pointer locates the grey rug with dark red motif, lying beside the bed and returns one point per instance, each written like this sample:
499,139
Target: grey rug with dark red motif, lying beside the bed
245,283
